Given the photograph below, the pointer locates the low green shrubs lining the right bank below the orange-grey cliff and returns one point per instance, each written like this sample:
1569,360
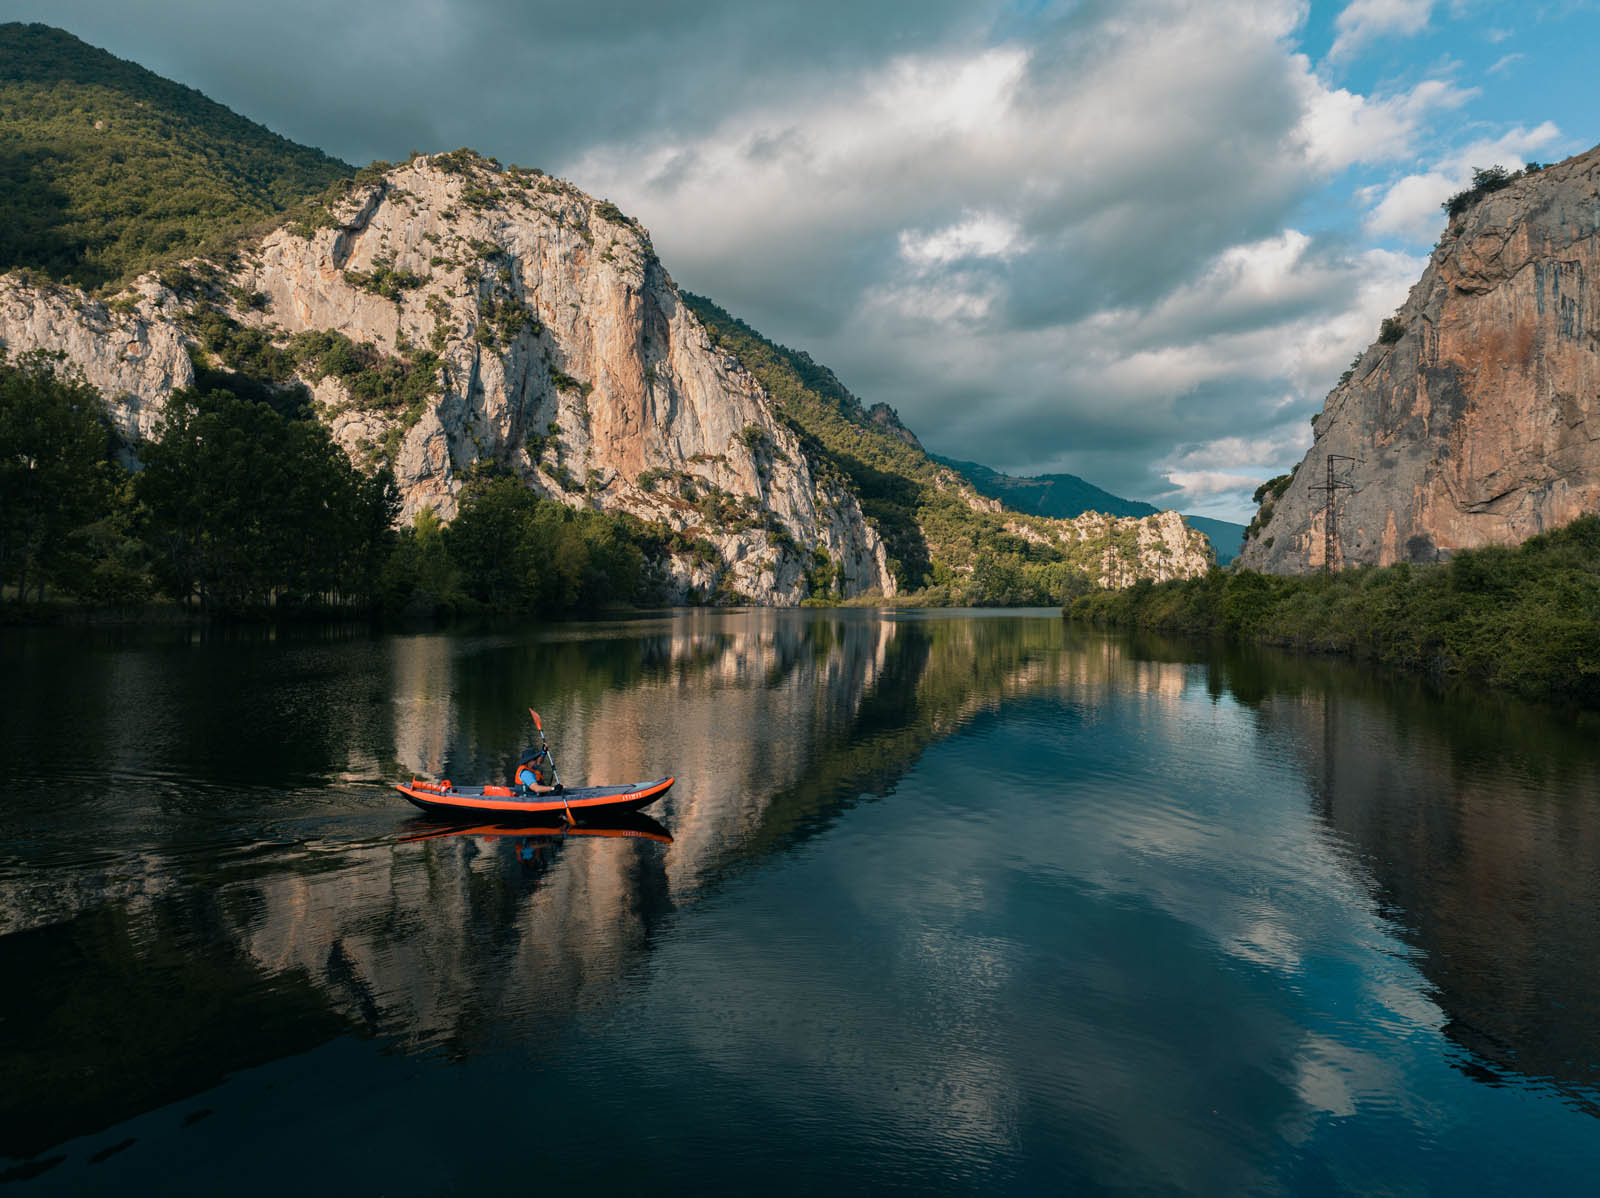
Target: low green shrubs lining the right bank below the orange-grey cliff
1524,620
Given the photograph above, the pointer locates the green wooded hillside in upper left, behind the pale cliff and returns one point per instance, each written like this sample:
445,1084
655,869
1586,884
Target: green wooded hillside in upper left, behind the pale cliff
106,169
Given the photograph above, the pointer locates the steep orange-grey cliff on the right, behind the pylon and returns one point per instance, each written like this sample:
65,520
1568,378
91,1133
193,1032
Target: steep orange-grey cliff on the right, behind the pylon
1476,420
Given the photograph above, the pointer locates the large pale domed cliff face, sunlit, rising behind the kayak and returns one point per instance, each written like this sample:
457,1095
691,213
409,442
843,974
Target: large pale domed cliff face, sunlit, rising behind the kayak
569,357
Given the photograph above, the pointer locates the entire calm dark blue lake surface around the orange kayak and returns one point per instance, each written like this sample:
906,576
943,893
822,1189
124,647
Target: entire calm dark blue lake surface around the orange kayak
954,903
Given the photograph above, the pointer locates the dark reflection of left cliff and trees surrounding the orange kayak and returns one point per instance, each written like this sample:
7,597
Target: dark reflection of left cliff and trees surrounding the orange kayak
234,873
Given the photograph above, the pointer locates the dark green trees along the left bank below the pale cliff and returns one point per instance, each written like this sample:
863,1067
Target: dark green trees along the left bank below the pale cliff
242,506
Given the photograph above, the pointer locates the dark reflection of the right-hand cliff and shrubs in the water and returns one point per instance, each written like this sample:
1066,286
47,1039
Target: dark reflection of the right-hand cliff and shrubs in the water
1478,821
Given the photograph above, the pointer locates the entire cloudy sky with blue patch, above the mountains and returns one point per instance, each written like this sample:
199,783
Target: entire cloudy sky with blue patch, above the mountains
1135,241
